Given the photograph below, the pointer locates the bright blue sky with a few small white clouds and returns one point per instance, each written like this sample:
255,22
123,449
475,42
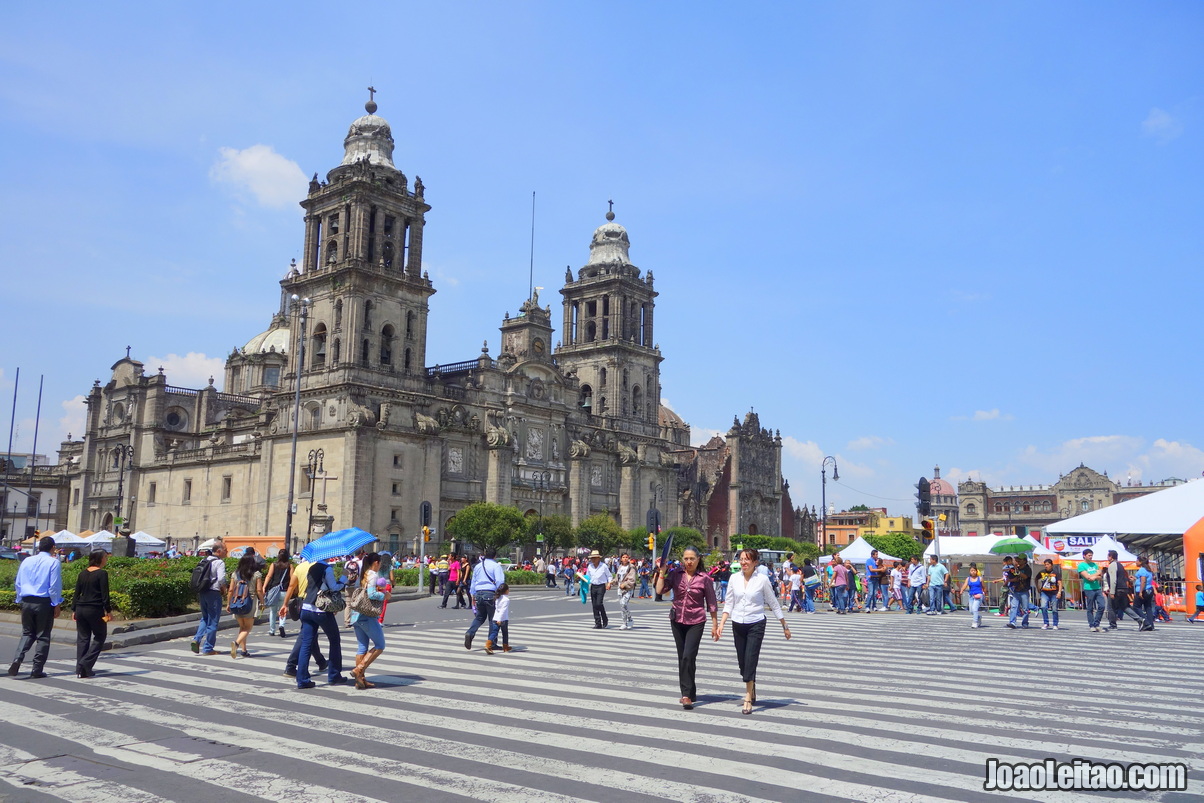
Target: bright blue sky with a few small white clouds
906,234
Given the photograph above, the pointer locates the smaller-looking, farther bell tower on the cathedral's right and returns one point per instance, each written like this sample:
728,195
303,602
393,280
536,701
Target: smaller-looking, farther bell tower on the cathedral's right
609,335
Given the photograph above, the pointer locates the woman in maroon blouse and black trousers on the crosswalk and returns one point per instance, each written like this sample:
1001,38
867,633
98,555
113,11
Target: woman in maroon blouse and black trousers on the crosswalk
694,598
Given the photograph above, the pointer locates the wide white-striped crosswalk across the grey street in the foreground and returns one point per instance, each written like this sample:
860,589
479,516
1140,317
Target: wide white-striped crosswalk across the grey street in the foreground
865,708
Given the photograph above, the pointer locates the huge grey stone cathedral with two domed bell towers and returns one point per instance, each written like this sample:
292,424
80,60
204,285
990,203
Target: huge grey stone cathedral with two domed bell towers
338,406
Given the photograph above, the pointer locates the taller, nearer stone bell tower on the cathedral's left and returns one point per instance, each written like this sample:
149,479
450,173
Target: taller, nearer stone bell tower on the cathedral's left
363,267
